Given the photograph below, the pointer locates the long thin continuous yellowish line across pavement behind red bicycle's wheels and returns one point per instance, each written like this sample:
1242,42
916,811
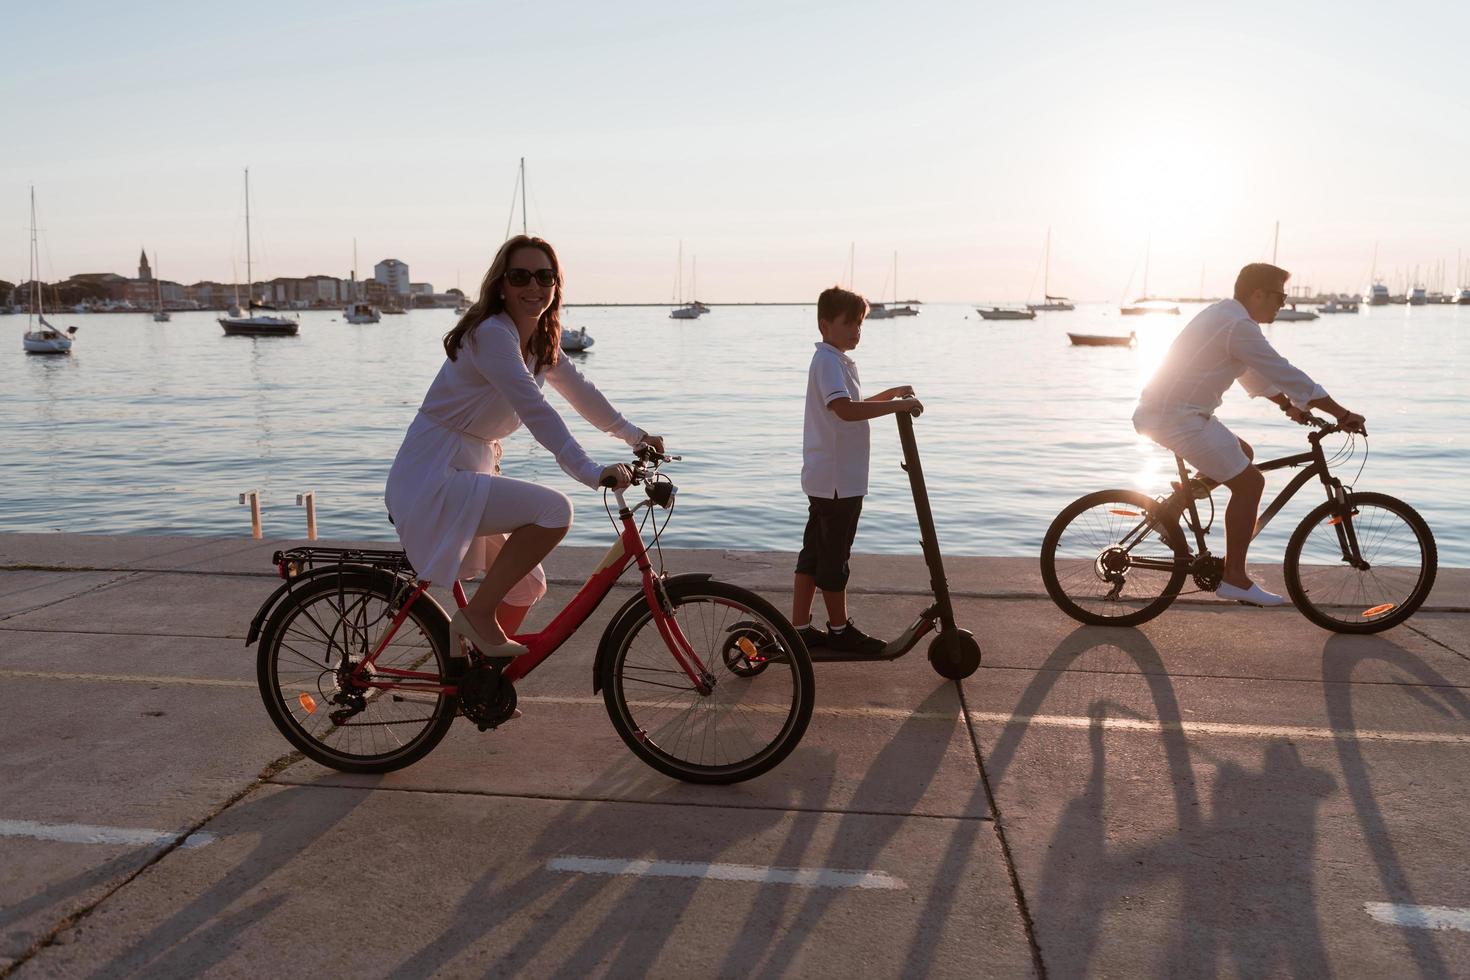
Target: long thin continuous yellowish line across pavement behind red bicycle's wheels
903,715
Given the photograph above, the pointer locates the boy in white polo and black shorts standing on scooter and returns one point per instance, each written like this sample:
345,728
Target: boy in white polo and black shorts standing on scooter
834,472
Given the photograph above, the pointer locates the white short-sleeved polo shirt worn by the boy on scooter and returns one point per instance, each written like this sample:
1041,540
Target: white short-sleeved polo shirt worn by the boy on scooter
834,461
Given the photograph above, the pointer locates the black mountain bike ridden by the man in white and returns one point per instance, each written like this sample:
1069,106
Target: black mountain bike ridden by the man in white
1359,563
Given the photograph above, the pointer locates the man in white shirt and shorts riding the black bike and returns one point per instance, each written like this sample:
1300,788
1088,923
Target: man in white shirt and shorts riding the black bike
1177,409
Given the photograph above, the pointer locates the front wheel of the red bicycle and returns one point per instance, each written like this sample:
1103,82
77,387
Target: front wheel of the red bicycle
759,677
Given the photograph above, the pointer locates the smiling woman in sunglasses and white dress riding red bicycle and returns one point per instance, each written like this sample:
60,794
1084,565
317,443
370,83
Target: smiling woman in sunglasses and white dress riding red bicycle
455,514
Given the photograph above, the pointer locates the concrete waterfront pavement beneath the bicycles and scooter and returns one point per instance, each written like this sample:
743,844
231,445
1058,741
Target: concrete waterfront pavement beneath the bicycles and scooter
1222,791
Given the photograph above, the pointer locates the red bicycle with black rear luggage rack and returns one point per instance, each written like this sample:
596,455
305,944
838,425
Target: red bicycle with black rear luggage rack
703,681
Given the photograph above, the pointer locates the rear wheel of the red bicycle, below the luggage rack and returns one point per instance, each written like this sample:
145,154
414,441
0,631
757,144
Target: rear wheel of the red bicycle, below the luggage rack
298,643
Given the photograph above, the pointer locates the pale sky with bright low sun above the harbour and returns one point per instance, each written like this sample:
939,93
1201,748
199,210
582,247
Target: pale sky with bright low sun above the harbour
774,140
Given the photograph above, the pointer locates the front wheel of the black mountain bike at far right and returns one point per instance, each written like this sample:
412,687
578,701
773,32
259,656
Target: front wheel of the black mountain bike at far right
1396,575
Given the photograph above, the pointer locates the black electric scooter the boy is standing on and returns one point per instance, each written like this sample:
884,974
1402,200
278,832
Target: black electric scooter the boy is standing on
953,653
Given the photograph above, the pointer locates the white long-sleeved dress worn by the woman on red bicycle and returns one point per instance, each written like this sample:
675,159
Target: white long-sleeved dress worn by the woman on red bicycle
442,480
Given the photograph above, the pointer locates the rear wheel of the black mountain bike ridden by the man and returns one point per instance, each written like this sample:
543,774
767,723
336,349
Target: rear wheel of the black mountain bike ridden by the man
1074,552
